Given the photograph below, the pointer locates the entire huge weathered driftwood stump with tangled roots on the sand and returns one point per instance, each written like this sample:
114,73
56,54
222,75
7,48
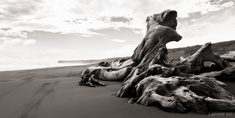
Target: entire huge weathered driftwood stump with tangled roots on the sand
148,78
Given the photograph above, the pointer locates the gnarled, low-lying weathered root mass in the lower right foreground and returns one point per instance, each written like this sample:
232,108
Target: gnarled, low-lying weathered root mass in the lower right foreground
181,94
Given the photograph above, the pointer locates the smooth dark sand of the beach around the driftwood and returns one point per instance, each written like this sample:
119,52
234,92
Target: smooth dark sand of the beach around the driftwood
54,93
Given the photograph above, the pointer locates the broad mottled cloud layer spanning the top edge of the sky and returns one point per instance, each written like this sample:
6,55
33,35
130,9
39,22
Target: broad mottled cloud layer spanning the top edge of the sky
79,16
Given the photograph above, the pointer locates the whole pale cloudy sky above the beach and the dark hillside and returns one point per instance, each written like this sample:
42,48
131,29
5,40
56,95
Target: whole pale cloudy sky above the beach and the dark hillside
51,30
